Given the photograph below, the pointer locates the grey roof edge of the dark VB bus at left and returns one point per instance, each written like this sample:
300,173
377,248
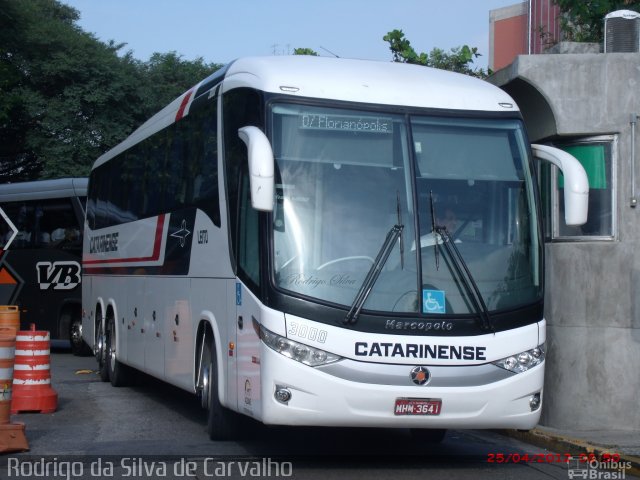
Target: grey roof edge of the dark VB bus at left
43,189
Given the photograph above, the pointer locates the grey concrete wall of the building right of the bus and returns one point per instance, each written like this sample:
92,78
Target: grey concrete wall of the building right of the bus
593,288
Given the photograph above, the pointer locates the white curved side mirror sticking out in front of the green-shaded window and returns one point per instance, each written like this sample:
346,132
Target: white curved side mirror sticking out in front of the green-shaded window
576,183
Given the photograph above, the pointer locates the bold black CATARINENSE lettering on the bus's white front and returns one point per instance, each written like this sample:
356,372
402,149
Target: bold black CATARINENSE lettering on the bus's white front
420,350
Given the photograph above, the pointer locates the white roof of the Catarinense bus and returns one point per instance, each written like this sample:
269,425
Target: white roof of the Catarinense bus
361,81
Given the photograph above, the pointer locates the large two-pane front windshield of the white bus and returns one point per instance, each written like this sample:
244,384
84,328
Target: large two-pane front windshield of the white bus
347,178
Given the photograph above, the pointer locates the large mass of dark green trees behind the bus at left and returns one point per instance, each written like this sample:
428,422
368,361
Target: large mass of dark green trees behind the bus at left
66,97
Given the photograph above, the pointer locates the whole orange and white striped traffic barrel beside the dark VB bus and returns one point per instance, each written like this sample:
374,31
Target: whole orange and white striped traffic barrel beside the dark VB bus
32,390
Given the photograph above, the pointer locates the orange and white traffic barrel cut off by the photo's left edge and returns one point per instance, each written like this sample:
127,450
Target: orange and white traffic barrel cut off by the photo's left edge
12,438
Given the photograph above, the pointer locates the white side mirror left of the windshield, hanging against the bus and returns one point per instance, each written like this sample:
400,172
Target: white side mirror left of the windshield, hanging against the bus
261,167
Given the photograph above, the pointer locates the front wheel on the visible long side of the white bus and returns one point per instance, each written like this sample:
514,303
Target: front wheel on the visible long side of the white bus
222,423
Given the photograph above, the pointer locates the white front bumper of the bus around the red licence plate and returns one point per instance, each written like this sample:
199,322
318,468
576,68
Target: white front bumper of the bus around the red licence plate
321,399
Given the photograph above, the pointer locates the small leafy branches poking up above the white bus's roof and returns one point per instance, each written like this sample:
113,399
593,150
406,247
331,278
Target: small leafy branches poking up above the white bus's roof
458,59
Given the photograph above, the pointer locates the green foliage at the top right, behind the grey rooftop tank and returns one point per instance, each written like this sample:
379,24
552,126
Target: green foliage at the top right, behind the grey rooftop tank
583,20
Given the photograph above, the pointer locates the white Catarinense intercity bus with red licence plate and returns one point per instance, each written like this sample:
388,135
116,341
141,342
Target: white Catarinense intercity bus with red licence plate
321,241
